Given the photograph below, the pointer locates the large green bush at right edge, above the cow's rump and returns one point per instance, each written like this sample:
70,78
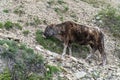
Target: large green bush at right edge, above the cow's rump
109,18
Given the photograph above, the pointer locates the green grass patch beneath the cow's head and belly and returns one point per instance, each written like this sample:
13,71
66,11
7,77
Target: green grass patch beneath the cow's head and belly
55,45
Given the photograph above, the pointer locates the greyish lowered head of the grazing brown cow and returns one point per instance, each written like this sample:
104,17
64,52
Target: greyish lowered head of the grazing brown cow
50,31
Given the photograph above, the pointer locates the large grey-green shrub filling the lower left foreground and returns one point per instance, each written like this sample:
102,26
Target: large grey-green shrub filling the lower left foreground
23,64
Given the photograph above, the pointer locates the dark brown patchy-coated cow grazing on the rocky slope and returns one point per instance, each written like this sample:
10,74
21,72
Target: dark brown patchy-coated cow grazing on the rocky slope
70,32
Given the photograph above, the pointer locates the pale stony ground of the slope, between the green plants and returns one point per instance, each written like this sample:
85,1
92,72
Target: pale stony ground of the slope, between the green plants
73,68
